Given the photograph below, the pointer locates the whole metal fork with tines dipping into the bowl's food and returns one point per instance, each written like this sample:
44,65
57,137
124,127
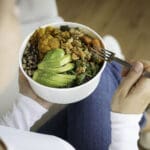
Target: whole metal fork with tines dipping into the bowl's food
109,56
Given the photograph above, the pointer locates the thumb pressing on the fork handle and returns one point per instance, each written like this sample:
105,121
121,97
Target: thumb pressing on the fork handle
132,77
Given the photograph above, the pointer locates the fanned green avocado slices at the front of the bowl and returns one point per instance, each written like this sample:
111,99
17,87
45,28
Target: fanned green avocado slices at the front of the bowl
52,70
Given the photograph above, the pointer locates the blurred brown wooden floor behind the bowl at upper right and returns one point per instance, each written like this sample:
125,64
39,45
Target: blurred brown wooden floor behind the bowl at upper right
127,20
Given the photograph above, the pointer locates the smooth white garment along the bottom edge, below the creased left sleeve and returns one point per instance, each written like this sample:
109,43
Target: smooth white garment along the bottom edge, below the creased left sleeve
15,139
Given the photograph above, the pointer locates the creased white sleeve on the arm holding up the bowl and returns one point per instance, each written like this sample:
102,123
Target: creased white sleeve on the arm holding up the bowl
24,113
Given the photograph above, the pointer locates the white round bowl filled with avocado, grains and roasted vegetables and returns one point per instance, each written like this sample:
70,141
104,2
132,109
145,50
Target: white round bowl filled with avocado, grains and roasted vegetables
59,64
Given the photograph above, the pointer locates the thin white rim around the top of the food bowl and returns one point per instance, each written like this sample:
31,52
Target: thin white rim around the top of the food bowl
23,45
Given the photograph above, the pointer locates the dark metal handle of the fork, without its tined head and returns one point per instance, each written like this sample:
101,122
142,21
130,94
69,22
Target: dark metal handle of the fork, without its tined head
125,63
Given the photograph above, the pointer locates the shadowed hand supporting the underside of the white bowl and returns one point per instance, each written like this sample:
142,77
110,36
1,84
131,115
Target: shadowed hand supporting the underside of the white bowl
26,90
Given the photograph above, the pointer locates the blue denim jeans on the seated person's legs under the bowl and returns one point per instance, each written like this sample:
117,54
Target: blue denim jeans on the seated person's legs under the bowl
86,124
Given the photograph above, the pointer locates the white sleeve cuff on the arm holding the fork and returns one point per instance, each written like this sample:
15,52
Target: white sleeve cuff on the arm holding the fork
125,131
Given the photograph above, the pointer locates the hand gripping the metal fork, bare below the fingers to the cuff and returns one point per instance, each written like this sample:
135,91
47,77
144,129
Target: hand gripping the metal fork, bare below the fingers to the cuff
133,95
